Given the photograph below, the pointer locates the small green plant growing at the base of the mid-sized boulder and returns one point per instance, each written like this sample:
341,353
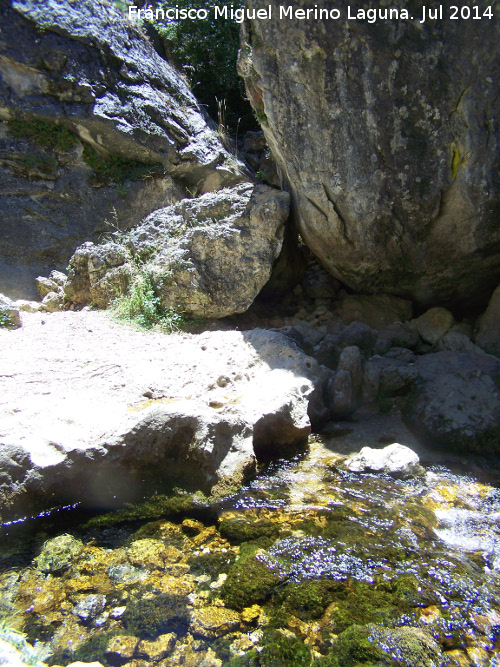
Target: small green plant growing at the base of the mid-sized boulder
142,305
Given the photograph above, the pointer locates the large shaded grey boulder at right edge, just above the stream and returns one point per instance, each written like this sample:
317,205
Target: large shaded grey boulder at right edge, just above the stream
456,401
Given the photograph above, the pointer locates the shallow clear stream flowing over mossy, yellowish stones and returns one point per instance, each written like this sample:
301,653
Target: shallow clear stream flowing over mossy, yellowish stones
307,565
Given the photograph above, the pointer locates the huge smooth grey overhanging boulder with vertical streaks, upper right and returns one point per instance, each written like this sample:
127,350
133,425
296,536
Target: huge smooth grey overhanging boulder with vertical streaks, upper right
385,132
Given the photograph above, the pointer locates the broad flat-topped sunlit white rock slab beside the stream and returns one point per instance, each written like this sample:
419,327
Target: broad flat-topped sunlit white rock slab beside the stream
102,414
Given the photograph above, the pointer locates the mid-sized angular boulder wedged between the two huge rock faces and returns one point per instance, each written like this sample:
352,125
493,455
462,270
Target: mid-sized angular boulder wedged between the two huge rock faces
208,256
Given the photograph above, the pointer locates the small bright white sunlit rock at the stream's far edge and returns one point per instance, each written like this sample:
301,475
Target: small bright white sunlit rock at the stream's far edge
395,460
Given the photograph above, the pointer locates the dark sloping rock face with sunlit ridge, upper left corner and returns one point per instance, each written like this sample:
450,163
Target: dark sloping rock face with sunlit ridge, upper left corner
94,127
